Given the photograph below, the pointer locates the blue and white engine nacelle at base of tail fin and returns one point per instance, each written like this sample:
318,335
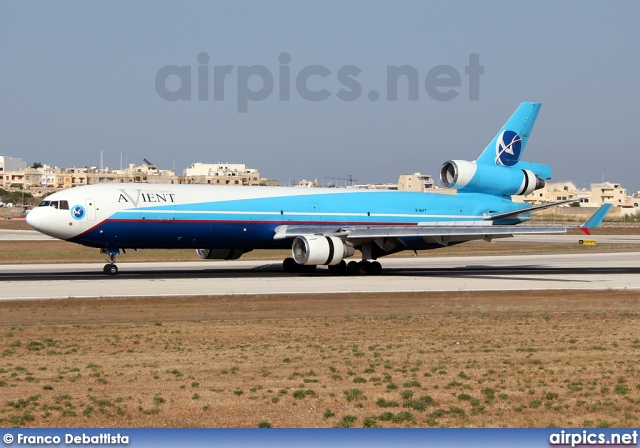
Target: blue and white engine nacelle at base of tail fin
497,180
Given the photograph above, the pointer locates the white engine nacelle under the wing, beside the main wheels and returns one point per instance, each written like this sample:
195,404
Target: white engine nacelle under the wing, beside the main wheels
315,249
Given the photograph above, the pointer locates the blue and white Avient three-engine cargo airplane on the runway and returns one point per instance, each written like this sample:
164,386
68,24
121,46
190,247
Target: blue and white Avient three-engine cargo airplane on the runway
320,226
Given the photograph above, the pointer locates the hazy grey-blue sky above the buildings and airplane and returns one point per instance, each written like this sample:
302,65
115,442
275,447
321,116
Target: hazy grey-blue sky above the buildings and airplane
78,77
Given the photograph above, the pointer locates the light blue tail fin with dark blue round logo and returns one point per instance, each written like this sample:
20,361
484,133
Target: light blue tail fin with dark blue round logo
508,145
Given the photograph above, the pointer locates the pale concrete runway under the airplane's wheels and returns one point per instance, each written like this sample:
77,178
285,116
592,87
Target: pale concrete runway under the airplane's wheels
606,270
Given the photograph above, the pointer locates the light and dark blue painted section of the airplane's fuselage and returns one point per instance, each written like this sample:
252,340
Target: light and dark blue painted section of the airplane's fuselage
251,223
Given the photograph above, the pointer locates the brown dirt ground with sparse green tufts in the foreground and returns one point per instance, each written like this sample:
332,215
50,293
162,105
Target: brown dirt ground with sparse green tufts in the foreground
536,359
